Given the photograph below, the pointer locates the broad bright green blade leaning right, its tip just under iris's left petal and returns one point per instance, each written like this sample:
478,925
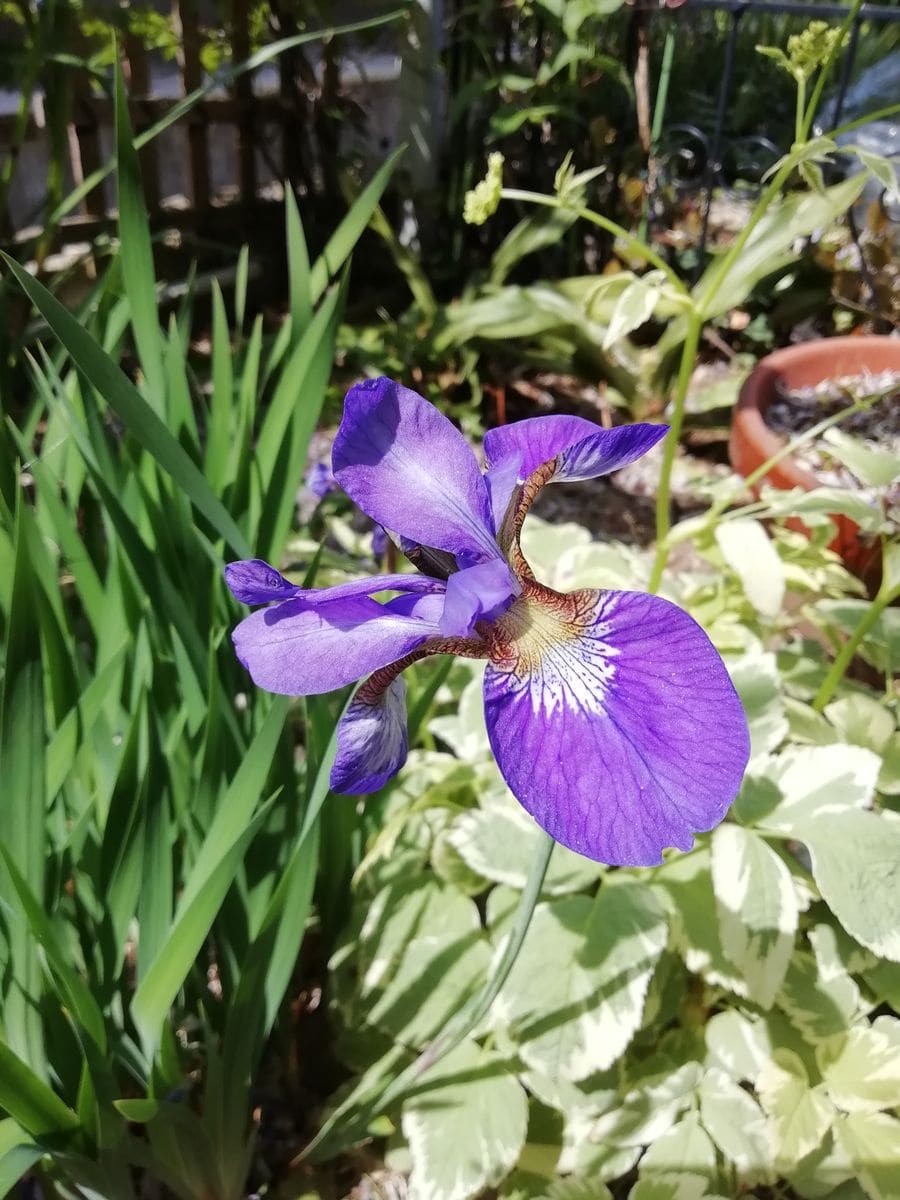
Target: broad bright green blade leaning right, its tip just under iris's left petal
211,879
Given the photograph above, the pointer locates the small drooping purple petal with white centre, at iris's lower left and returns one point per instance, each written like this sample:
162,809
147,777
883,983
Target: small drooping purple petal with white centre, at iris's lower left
373,740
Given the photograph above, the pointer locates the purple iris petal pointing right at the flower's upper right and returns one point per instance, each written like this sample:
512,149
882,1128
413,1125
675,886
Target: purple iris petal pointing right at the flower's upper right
585,449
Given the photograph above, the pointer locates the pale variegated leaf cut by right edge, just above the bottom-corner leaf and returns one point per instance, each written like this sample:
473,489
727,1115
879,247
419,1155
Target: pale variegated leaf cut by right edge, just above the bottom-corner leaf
862,1070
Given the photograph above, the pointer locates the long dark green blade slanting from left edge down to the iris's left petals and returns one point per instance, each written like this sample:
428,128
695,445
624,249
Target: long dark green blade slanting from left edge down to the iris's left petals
128,403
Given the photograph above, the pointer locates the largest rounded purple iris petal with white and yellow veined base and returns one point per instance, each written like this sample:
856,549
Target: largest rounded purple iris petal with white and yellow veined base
614,722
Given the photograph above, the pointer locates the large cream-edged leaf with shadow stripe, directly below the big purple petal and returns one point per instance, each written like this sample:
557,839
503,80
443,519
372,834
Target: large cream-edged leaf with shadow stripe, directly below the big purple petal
575,997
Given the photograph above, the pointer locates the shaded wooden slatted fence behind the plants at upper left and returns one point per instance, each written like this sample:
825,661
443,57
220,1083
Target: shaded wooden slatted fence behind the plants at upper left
233,151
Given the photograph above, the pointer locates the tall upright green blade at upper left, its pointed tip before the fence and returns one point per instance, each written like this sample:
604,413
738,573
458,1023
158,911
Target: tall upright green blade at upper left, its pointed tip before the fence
136,253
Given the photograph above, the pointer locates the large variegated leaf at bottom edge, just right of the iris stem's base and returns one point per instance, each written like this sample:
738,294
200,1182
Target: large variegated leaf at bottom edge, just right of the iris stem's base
466,1126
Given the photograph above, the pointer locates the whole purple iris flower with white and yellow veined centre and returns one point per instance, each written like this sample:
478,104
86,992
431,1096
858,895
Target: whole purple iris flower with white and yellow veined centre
611,716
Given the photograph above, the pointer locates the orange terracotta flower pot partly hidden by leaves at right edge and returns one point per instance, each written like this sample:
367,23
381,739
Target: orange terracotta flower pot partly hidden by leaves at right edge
753,442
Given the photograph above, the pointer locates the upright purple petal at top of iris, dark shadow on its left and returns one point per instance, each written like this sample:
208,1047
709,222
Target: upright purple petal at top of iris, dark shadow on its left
412,471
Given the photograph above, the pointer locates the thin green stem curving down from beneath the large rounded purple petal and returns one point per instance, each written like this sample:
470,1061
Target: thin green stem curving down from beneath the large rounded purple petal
457,1030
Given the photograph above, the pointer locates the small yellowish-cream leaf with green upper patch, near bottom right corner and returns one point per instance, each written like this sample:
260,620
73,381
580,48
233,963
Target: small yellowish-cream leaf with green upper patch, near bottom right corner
800,1117
